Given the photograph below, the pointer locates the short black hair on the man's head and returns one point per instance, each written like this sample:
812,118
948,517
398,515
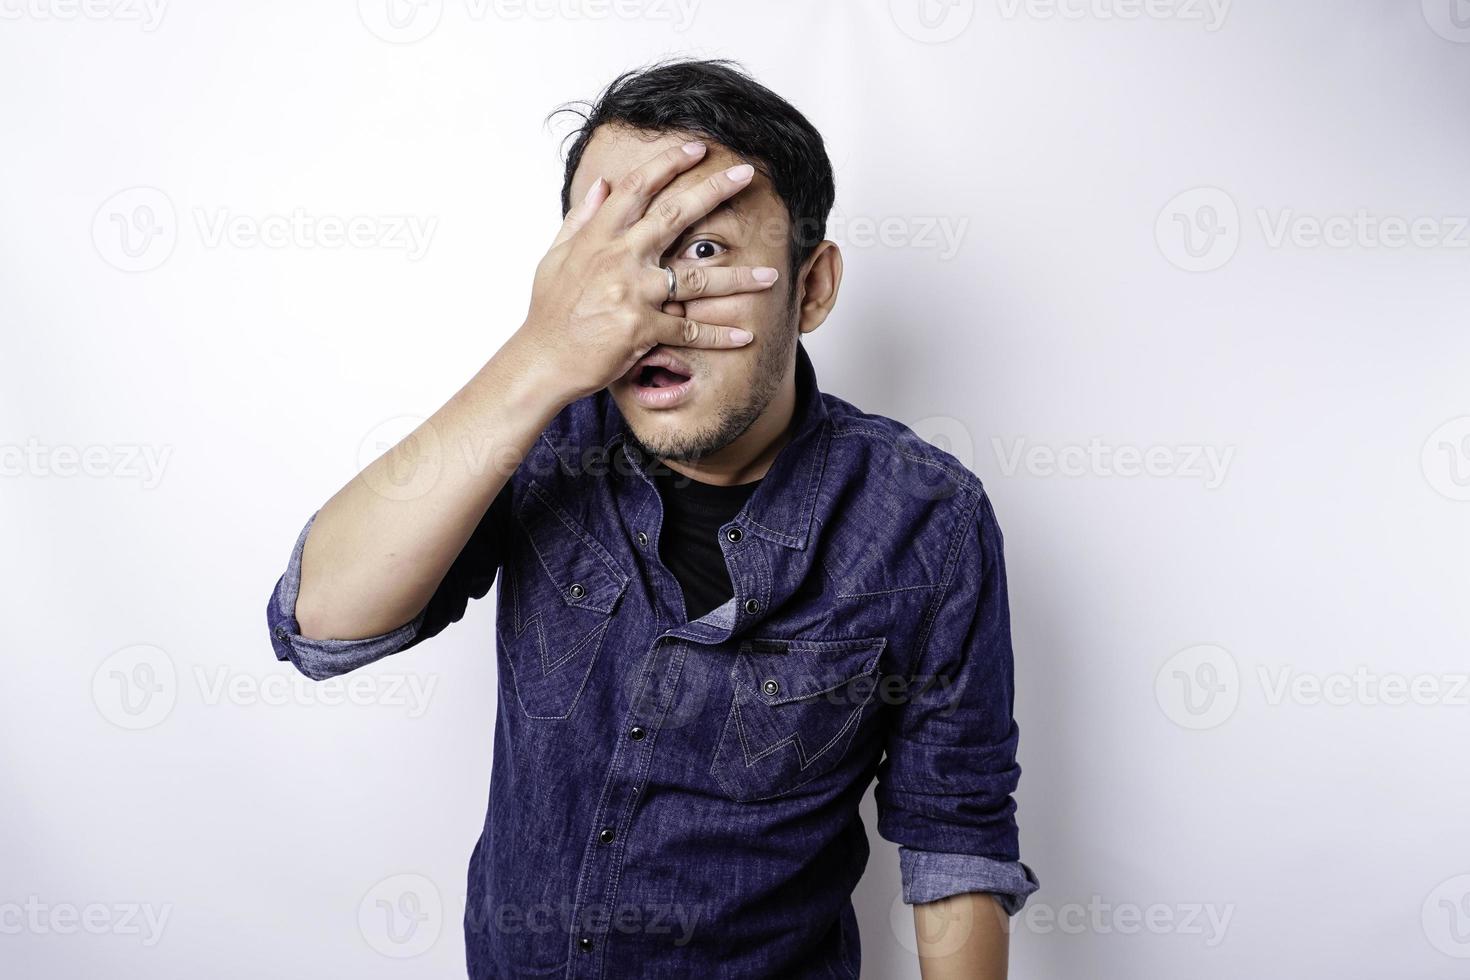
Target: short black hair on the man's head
720,102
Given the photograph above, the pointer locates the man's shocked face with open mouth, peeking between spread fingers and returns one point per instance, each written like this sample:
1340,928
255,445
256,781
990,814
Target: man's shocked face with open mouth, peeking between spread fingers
731,389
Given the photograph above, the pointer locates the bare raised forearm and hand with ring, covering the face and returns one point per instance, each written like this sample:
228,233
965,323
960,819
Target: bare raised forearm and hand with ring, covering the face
380,547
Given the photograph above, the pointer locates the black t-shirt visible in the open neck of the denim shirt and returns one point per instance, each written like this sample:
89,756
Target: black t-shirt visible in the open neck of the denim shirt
690,544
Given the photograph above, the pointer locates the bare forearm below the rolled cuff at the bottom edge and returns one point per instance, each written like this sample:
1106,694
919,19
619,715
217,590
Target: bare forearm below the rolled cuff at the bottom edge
964,938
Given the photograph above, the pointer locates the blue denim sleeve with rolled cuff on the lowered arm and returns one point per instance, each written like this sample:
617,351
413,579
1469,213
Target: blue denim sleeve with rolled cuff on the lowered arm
947,781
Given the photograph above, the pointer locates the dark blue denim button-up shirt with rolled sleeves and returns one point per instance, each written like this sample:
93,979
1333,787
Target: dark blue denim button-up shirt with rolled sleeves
680,799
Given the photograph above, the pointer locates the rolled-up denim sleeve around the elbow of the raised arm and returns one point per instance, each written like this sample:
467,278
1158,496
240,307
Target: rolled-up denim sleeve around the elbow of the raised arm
470,578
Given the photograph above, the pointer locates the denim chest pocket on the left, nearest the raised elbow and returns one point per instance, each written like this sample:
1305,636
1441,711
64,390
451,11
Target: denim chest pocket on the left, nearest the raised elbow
558,602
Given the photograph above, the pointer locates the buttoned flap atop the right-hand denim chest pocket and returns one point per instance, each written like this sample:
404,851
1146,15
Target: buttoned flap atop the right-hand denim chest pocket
784,671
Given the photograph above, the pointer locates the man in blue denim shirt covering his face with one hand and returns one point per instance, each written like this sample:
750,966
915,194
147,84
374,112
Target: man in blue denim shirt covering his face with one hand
727,600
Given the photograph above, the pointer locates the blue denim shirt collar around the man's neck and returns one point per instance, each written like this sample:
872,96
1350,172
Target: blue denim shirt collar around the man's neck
781,511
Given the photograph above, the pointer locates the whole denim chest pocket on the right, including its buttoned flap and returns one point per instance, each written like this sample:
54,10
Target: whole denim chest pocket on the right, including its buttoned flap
795,713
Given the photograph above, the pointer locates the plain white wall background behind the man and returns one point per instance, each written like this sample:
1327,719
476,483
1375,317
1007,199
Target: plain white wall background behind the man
1224,774
